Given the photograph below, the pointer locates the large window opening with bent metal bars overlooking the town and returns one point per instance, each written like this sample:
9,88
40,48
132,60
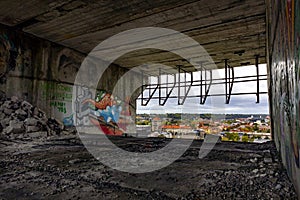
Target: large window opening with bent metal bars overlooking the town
243,115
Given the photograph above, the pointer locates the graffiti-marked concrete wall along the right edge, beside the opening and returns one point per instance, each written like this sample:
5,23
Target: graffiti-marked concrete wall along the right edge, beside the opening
284,69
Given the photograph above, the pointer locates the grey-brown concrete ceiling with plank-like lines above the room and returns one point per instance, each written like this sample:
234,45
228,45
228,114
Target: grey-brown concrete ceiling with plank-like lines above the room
227,29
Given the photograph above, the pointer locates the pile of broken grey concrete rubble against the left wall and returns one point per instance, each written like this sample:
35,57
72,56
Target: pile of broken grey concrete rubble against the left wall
20,120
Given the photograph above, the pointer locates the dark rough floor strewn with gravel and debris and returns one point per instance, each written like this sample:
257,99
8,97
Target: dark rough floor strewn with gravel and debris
61,168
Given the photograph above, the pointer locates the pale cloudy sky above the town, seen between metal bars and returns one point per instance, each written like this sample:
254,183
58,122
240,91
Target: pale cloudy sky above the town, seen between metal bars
239,104
